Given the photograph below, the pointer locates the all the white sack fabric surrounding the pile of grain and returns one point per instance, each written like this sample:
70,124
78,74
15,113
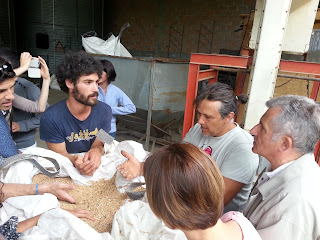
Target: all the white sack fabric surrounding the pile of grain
135,219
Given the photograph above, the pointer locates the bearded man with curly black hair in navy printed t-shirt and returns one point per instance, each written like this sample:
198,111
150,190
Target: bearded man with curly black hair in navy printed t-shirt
70,126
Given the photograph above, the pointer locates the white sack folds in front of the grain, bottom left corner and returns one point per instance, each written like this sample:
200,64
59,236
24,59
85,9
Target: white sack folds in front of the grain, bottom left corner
54,222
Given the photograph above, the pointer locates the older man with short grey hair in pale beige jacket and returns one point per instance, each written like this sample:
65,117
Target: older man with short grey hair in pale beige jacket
285,203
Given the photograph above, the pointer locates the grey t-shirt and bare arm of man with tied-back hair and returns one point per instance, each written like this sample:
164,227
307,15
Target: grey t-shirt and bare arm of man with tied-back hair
233,155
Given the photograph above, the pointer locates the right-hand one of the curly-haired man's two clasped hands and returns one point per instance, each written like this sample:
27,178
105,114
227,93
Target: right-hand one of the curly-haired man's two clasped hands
91,161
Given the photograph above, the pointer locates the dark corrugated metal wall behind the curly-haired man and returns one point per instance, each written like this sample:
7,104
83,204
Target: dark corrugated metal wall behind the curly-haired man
63,21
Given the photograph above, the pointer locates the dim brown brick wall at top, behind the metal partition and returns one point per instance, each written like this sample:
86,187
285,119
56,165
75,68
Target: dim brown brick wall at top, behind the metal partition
150,22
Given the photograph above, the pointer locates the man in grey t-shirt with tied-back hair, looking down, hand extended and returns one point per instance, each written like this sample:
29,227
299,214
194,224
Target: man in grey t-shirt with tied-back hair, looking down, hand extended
218,135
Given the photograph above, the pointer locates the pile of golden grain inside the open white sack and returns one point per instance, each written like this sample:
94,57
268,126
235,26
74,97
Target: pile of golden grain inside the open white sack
102,199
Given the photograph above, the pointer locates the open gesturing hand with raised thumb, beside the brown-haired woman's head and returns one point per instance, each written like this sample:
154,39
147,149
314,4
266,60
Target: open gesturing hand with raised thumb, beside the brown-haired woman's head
132,168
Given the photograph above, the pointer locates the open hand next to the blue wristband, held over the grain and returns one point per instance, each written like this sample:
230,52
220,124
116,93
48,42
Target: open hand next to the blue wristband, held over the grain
59,190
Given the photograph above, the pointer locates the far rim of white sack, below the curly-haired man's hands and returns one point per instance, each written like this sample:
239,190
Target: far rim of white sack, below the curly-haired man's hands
23,171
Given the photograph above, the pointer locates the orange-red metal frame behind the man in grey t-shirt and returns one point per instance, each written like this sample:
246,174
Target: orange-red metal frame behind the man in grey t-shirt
240,62
